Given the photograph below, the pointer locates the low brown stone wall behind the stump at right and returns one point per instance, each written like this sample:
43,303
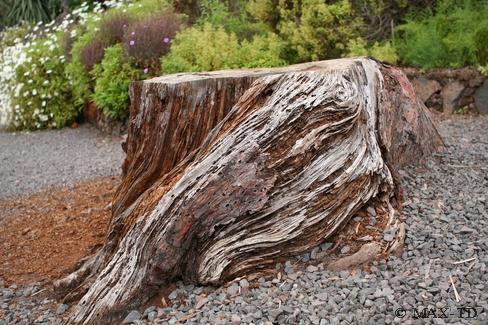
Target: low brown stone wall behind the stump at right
451,89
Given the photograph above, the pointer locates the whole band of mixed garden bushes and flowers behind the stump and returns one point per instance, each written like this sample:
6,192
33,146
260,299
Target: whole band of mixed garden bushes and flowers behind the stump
50,71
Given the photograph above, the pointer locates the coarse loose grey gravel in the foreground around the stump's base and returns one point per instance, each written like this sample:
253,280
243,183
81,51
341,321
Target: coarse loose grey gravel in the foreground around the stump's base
447,221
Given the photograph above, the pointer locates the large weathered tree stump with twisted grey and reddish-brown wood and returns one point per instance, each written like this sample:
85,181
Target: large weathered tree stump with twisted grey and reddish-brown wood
228,171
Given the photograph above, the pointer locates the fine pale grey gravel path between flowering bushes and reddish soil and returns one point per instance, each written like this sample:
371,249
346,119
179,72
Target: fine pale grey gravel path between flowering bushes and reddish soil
36,160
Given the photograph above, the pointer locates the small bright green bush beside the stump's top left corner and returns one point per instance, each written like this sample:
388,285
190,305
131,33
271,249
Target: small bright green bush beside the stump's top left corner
113,77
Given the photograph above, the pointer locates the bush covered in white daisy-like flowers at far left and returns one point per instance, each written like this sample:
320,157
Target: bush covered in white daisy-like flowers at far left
24,64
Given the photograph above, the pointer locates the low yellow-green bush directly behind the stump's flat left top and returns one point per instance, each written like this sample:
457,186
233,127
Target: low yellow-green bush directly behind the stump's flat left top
220,50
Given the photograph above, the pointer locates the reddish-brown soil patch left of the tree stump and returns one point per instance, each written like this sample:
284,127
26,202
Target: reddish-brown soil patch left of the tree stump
44,235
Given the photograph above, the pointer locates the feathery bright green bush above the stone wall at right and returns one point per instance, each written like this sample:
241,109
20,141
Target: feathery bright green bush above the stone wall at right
456,35
